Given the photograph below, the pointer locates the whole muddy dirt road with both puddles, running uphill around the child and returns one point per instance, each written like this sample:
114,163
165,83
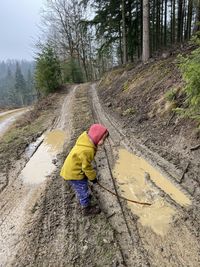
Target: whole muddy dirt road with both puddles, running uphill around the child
40,219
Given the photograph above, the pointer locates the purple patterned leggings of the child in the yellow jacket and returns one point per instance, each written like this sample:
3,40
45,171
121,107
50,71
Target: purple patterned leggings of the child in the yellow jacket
82,192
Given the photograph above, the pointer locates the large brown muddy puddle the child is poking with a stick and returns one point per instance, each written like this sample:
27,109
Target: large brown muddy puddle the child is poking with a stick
130,171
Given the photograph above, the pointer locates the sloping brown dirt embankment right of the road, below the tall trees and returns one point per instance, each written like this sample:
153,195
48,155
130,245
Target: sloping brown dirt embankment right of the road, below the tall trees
137,98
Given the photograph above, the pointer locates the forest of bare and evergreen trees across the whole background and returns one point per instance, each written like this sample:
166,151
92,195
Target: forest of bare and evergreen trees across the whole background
82,39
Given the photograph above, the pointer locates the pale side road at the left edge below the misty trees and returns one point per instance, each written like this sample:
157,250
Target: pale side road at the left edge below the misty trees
8,117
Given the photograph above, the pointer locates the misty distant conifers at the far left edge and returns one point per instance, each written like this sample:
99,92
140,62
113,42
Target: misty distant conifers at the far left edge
17,83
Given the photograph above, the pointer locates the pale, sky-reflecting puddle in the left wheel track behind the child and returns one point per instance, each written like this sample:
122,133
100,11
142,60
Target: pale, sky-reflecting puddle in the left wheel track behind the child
41,163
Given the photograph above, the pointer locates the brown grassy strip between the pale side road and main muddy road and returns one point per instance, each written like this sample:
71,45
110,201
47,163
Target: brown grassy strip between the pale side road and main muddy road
27,129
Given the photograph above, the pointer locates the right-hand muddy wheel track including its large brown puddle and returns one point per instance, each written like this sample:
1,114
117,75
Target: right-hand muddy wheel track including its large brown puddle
165,235
